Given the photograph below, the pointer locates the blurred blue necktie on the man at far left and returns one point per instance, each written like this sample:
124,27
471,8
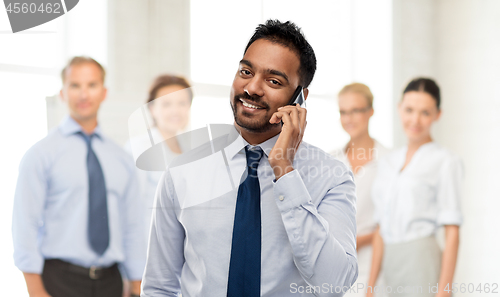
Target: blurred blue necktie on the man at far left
98,228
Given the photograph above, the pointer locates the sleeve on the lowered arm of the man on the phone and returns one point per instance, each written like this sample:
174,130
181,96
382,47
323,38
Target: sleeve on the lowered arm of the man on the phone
165,256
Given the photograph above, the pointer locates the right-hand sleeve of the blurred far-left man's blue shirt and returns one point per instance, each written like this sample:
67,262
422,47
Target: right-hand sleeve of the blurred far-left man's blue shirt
134,237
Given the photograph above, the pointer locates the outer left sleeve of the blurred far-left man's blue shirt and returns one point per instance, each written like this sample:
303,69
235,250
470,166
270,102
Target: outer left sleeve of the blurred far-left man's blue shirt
27,219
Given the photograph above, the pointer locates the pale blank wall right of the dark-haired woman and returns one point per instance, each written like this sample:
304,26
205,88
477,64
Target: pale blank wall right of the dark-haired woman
468,69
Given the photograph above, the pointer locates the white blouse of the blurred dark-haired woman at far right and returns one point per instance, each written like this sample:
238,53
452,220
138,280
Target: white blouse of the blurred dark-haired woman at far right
414,202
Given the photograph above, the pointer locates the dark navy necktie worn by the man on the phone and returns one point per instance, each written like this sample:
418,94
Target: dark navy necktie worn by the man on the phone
244,267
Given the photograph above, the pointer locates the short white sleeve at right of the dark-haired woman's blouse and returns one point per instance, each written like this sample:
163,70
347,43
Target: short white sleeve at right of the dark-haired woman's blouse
449,191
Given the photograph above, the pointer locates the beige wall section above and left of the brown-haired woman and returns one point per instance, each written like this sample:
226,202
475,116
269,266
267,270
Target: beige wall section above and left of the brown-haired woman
146,38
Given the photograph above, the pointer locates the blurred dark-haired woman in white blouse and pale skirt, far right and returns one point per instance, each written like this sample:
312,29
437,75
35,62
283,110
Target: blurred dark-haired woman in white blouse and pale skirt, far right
417,191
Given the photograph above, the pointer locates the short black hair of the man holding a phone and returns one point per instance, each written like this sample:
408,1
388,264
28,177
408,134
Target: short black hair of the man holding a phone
289,35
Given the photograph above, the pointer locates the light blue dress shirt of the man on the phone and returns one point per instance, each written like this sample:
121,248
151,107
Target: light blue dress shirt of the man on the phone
307,216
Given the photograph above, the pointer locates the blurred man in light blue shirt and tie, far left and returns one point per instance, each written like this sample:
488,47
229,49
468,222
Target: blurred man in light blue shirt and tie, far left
75,203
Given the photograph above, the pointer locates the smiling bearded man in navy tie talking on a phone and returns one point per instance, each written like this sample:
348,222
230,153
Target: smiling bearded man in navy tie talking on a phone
288,226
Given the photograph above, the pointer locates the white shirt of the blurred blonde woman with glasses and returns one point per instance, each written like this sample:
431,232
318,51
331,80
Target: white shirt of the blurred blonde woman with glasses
365,209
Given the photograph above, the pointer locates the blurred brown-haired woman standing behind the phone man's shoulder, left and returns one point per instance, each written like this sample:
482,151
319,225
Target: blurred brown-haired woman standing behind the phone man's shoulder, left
169,103
